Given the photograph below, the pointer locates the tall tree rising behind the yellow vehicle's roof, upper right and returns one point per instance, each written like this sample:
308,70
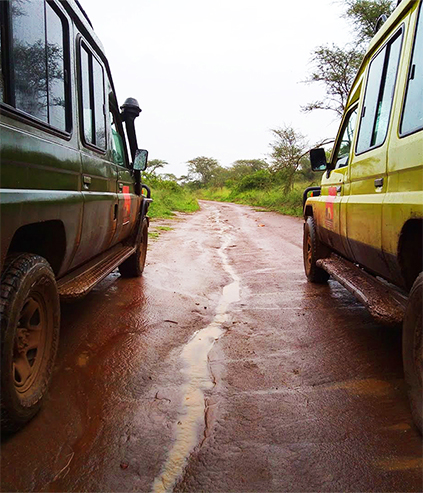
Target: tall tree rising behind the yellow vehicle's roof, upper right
335,67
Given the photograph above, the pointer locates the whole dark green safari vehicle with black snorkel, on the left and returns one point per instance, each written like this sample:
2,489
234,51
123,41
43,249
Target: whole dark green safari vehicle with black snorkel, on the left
73,207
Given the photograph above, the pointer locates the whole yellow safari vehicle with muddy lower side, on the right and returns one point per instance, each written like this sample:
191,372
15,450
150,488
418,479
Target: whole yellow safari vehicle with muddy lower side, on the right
363,225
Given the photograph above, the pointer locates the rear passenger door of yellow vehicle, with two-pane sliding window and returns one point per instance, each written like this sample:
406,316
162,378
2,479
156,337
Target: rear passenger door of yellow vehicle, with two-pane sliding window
368,180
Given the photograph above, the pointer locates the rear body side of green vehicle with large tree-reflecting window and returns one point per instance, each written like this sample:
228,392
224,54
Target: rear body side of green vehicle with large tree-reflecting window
40,160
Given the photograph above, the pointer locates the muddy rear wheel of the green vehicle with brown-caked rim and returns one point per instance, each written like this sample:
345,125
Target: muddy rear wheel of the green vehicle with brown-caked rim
30,322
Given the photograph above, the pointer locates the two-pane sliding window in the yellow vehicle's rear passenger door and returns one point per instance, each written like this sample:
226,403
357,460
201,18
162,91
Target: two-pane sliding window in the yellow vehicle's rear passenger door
379,96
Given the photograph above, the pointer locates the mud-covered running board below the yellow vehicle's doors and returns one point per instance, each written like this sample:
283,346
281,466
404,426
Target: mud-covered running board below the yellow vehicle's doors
385,303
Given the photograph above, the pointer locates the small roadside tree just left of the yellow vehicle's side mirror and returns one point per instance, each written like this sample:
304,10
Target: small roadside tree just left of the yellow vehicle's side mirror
288,150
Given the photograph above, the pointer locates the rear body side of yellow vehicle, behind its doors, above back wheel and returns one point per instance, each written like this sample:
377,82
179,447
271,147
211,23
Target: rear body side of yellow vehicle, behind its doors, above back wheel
404,197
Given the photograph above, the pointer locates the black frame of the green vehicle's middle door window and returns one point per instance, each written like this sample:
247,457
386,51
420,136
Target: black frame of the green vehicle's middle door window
81,41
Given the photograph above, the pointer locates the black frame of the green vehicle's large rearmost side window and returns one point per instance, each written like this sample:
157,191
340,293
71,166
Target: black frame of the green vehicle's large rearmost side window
8,107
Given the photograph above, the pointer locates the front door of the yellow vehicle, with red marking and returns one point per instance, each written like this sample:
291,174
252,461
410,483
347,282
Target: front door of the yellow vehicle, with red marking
335,186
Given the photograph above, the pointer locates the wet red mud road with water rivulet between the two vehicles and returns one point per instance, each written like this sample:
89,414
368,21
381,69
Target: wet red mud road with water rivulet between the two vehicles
221,369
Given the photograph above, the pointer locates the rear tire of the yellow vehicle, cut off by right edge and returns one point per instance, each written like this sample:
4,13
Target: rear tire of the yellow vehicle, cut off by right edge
412,350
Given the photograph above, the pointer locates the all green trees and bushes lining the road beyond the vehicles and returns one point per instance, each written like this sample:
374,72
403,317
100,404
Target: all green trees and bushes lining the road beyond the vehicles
277,182
